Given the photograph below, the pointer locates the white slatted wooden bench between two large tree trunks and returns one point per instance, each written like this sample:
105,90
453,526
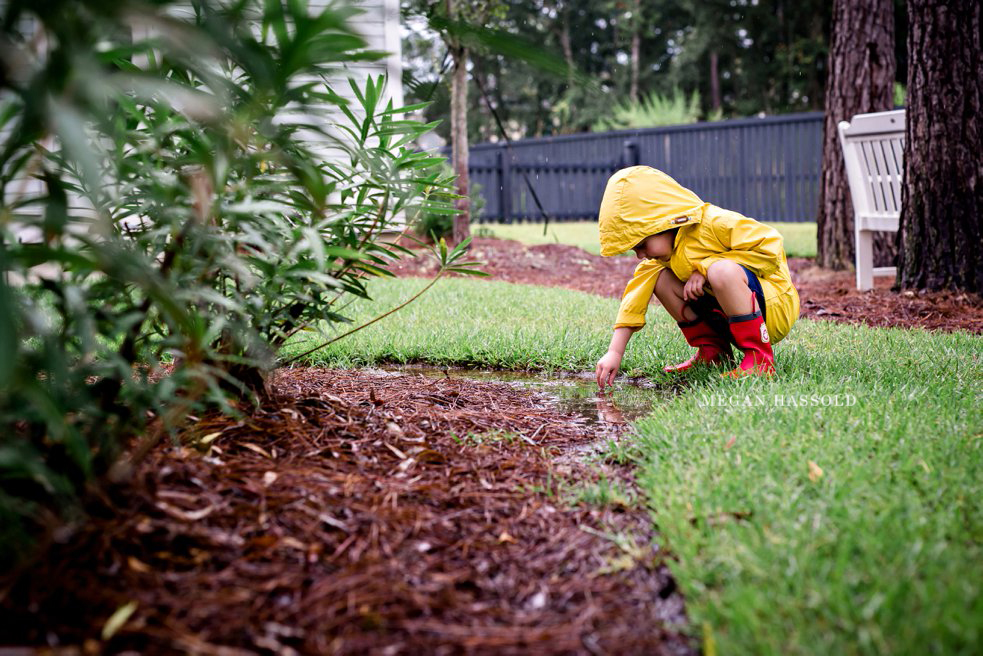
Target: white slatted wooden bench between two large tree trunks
873,145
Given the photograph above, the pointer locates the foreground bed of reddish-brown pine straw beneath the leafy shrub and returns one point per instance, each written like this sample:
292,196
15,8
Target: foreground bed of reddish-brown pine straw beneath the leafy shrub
357,514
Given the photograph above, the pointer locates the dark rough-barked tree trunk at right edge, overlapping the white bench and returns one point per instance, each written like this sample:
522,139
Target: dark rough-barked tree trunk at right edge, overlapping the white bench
942,198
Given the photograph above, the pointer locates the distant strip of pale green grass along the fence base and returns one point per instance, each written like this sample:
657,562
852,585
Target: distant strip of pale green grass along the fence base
800,238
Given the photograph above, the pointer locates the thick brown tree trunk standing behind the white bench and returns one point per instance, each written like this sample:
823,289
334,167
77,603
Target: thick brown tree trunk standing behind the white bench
860,79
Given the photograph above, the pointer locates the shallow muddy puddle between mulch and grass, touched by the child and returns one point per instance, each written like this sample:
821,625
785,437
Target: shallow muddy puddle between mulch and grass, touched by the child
574,394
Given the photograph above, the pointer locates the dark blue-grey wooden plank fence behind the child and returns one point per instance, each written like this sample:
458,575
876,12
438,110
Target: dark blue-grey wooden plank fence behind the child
766,168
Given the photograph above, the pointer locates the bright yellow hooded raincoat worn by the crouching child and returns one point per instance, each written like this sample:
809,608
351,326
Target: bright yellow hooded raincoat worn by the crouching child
640,201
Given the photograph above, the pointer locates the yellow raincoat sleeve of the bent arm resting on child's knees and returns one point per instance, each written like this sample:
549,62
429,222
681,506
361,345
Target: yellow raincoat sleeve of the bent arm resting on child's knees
749,242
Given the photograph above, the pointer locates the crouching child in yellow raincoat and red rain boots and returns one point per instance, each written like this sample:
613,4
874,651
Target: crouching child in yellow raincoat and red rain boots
722,276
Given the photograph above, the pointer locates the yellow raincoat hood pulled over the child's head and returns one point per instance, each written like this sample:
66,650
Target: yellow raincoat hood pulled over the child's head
640,201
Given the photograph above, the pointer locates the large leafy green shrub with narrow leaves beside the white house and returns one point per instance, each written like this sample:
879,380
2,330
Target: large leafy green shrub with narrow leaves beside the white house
185,219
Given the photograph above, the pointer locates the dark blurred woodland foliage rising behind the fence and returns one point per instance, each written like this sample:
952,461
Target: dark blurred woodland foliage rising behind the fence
743,59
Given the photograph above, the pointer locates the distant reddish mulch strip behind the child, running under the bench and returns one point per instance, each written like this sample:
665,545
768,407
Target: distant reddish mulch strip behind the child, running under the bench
824,294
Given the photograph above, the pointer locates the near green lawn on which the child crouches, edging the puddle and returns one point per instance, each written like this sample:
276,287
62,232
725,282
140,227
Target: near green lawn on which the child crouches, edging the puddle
878,553
